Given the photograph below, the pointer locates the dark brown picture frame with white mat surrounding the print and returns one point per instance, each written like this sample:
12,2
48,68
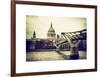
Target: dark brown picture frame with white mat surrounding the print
17,35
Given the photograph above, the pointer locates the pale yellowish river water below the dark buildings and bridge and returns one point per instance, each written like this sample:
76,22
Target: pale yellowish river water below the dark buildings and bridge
52,55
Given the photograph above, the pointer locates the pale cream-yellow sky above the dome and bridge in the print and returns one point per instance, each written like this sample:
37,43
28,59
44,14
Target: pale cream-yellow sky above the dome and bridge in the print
41,25
